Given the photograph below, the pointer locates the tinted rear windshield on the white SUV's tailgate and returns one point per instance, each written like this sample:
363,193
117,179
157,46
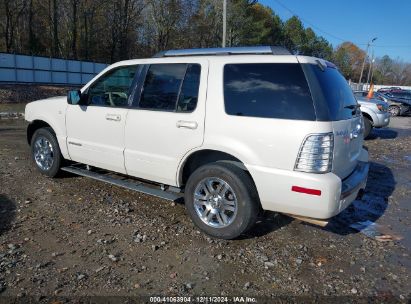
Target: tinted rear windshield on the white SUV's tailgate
333,97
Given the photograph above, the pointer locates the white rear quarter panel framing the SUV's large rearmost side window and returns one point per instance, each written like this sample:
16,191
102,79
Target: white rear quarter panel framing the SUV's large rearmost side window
262,144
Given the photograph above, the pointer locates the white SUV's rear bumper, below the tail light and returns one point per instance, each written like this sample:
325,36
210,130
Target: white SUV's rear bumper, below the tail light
275,190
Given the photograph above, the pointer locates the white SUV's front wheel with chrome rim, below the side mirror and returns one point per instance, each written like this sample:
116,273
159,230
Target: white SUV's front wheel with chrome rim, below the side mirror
45,152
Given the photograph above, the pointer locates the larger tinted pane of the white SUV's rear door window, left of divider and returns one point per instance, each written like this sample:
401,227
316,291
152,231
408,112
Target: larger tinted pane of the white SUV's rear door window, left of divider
161,86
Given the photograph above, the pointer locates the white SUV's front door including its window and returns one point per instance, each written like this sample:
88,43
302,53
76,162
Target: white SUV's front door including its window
95,128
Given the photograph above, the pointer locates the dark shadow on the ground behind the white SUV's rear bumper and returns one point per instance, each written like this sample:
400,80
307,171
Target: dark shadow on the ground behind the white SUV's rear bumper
371,207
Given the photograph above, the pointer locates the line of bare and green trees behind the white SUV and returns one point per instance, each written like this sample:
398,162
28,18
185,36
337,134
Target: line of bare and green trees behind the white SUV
113,30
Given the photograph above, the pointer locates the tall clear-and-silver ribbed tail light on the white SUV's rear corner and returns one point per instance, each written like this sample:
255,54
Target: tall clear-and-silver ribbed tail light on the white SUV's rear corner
316,154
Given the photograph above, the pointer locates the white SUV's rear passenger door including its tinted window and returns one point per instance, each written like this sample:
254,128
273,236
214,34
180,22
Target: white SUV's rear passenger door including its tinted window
166,120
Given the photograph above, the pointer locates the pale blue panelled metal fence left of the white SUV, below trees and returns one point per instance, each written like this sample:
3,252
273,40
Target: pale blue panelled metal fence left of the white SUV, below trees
32,69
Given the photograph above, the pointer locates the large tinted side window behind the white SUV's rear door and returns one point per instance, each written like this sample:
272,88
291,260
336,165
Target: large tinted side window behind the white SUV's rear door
277,90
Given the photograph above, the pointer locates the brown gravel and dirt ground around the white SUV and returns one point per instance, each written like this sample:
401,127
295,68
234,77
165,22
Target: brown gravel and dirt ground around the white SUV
73,236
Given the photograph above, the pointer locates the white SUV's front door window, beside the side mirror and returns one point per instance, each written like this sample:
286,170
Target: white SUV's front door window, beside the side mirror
112,88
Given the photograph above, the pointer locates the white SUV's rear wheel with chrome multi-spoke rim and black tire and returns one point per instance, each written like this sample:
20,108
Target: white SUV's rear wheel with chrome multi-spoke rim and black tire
222,200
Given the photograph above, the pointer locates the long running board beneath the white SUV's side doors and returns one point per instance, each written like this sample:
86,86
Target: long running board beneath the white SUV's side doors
131,185
